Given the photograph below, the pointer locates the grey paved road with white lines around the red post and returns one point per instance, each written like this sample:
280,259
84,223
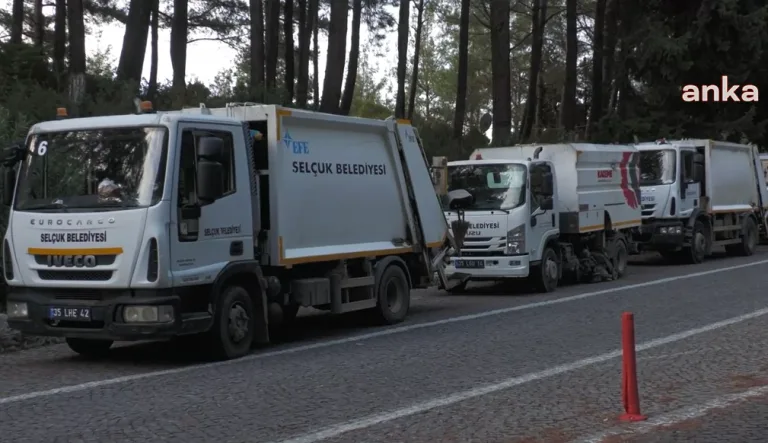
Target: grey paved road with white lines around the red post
495,365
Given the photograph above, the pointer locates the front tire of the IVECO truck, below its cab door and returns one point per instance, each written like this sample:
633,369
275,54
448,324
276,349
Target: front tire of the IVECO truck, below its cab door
232,333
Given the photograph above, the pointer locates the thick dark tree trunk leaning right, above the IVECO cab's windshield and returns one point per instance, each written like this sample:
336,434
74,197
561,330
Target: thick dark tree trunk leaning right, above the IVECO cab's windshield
134,49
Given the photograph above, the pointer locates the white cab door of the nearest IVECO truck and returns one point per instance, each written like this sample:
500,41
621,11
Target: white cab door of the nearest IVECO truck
206,238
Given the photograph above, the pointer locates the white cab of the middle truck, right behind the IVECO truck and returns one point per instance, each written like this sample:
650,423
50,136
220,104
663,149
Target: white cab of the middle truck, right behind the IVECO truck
510,220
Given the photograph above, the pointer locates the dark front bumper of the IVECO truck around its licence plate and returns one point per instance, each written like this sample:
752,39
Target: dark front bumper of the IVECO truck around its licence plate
106,314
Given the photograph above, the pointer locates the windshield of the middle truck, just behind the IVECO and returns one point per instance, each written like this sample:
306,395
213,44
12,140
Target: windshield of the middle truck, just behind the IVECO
494,186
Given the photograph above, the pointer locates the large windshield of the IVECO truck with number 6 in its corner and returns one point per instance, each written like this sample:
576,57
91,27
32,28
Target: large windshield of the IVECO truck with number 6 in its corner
94,170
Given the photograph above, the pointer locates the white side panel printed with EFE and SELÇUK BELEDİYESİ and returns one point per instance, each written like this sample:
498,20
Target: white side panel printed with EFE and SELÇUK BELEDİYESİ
339,187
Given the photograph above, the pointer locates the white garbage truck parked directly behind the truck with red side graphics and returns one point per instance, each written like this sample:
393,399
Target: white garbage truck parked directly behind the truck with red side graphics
698,194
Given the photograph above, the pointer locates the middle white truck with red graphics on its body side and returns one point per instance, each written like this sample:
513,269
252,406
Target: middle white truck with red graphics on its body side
546,212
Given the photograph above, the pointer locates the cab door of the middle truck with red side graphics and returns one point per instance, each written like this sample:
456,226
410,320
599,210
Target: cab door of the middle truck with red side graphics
543,213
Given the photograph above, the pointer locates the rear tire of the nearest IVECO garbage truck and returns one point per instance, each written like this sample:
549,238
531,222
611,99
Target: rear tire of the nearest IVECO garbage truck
393,296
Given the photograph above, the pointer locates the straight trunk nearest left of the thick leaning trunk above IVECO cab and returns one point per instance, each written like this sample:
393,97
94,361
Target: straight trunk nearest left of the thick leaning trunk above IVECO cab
76,55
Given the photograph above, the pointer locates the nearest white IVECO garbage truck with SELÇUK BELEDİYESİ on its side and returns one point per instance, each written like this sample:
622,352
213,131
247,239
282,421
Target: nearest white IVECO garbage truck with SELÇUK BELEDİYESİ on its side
216,224
